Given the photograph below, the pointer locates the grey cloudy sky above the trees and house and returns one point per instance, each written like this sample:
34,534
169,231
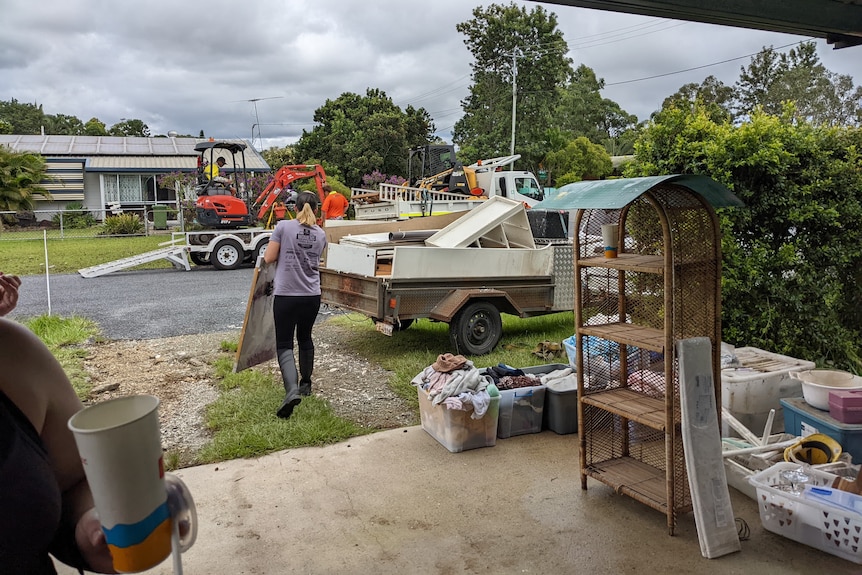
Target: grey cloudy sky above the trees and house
258,69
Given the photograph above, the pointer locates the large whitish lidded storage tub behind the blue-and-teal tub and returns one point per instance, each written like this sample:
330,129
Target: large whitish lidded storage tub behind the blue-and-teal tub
750,391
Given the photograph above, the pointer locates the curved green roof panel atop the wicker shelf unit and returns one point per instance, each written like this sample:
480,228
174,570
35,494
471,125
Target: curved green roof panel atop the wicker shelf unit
615,194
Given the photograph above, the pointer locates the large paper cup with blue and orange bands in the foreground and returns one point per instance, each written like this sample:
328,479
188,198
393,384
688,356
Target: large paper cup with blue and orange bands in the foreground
121,450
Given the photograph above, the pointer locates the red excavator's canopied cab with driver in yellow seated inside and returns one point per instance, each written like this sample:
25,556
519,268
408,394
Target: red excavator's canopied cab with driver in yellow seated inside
222,200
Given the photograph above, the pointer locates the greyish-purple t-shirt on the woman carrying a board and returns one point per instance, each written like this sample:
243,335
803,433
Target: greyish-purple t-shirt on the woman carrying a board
298,267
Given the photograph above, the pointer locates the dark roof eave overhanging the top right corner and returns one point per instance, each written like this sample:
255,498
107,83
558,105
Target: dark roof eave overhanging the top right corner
839,21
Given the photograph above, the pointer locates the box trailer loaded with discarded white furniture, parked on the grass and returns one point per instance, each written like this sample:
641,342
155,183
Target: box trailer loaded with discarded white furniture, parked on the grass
485,263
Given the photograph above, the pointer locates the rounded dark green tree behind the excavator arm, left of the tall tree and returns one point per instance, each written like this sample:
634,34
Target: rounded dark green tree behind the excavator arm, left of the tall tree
359,134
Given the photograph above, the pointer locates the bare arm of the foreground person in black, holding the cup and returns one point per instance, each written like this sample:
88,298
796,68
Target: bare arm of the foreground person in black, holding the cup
35,381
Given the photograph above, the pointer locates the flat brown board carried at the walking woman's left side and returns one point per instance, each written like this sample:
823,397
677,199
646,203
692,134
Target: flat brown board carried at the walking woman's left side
257,338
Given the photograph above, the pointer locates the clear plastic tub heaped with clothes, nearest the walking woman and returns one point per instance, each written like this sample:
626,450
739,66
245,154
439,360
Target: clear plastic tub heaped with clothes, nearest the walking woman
456,430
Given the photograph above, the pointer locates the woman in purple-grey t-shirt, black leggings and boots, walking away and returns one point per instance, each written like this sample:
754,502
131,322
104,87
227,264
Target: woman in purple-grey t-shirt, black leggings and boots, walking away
296,245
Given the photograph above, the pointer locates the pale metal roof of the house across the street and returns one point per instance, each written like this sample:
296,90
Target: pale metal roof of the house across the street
128,153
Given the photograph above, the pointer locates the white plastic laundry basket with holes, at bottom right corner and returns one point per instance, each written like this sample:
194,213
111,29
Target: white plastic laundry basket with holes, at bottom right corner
805,519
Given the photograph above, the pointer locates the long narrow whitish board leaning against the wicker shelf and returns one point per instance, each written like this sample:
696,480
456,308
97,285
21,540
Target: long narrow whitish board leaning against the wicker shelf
701,439
